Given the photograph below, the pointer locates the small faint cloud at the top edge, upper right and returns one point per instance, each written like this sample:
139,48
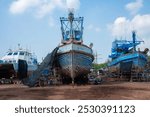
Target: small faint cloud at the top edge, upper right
134,7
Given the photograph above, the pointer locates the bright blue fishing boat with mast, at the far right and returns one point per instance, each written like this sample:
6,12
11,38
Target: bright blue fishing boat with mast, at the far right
126,57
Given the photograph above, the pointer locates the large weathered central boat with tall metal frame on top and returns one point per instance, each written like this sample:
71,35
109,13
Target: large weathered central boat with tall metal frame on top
74,58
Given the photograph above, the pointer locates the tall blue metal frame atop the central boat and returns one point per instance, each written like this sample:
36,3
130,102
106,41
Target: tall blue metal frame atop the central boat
71,25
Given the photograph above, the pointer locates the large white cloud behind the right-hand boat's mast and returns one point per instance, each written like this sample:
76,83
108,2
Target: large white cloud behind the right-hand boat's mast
122,27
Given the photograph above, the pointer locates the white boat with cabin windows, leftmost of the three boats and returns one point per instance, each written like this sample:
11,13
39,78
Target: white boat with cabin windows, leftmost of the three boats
17,64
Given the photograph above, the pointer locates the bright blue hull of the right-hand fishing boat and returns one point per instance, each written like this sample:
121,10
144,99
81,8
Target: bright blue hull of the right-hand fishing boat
126,62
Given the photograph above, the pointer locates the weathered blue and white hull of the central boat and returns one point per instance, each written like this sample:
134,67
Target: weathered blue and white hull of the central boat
75,61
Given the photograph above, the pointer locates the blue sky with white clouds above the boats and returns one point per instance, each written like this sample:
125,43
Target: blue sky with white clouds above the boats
34,24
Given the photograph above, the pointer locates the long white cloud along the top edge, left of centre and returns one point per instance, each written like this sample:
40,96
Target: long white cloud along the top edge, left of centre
42,7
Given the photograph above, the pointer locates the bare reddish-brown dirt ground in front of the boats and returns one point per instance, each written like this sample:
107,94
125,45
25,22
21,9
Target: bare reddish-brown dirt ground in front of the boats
105,91
